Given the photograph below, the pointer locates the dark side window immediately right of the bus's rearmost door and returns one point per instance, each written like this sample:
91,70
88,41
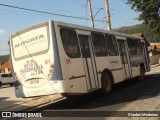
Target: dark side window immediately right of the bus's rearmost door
99,44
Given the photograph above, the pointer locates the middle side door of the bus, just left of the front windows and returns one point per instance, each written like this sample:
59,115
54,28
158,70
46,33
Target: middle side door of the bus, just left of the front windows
124,58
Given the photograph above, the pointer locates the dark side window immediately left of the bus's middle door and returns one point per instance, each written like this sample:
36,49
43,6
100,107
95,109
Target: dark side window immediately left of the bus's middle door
112,45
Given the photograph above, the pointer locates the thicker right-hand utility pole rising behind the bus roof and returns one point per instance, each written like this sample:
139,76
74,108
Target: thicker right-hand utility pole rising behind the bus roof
108,15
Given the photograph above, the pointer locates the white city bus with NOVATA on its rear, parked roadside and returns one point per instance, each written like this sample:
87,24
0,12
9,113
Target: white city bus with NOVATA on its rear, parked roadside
57,57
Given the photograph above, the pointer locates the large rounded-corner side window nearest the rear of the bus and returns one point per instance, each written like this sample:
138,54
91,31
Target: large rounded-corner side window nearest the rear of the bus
70,42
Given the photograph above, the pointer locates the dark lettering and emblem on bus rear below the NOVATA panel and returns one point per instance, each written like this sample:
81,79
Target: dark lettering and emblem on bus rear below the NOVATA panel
32,67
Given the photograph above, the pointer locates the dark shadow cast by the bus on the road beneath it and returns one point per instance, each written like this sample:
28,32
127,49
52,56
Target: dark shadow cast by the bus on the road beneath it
123,92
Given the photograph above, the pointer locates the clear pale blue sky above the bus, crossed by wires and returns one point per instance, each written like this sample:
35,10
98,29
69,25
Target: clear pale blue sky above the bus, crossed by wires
12,20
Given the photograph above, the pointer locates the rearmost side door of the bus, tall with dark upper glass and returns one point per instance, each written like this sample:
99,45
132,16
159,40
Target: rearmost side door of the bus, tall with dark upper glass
88,61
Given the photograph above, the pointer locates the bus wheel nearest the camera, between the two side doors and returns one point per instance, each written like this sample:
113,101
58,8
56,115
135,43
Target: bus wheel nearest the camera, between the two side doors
106,83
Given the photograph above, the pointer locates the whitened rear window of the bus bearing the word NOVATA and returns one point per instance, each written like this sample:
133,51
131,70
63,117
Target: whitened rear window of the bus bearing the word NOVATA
30,42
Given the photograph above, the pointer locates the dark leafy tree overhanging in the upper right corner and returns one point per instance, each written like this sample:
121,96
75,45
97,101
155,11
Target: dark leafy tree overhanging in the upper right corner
149,13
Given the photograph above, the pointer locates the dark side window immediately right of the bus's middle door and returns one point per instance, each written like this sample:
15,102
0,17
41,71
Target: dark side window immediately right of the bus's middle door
131,46
